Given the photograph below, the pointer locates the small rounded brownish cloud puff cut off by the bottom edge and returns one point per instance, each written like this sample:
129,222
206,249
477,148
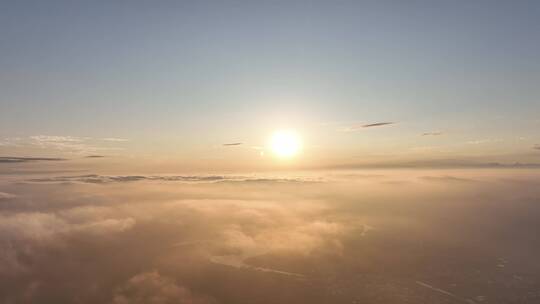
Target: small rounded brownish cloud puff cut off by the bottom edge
152,287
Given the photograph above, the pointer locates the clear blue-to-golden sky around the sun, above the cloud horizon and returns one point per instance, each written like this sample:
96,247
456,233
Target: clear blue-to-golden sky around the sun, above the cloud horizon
168,83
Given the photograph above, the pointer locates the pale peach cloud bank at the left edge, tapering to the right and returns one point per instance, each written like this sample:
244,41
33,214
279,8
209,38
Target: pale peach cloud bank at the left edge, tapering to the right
23,233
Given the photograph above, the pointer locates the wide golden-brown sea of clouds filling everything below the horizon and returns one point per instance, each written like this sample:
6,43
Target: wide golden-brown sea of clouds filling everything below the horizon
368,237
